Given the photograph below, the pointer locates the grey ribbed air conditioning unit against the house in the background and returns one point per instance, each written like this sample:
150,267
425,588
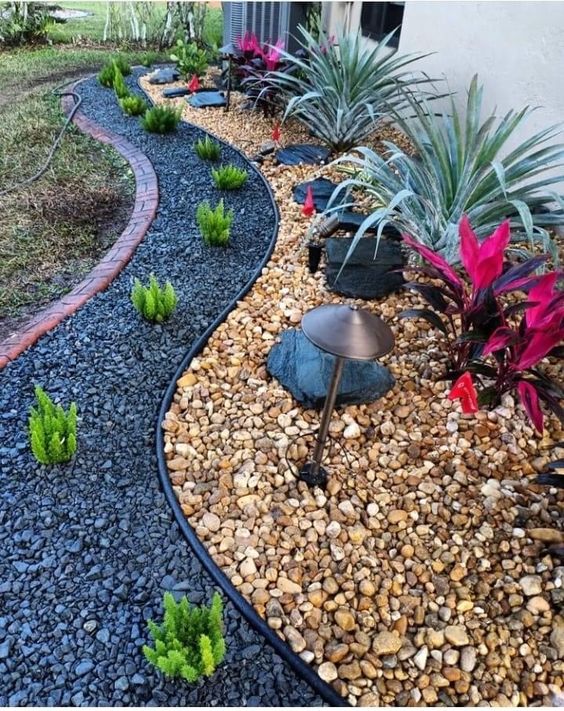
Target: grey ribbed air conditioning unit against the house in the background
268,20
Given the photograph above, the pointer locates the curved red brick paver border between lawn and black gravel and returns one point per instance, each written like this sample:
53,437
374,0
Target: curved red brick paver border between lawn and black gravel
144,210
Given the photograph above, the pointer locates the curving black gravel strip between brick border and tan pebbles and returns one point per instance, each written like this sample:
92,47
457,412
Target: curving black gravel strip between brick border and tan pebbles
87,549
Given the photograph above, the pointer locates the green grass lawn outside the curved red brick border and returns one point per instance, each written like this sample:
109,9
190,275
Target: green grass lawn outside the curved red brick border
56,229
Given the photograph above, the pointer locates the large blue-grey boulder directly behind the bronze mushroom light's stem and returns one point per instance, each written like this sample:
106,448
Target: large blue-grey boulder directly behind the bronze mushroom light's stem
305,371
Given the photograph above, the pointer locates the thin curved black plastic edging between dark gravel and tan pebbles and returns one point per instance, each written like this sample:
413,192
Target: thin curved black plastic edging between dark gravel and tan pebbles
301,668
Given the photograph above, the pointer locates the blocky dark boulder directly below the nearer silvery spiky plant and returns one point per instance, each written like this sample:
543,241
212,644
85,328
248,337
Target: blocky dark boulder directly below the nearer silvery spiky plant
364,276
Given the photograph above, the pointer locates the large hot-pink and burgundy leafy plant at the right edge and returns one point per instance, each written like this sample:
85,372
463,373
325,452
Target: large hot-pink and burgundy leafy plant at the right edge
500,343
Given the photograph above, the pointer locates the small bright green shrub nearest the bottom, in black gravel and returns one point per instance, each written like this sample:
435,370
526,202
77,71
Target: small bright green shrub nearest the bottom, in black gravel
189,642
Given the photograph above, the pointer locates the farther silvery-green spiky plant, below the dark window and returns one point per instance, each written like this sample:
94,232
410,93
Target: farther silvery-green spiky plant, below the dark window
339,90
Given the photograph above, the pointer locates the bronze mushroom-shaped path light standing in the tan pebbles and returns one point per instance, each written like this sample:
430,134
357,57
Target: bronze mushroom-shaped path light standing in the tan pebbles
348,333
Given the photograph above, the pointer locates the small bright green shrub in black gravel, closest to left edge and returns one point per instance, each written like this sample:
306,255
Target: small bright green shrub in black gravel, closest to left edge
52,431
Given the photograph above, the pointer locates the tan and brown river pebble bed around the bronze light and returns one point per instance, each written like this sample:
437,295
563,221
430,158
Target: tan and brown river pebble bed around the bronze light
421,575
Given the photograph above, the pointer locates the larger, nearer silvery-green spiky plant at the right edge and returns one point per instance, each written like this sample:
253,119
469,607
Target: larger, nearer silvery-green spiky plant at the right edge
460,165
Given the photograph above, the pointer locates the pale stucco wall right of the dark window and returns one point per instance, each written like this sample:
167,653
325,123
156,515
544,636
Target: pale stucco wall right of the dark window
516,48
